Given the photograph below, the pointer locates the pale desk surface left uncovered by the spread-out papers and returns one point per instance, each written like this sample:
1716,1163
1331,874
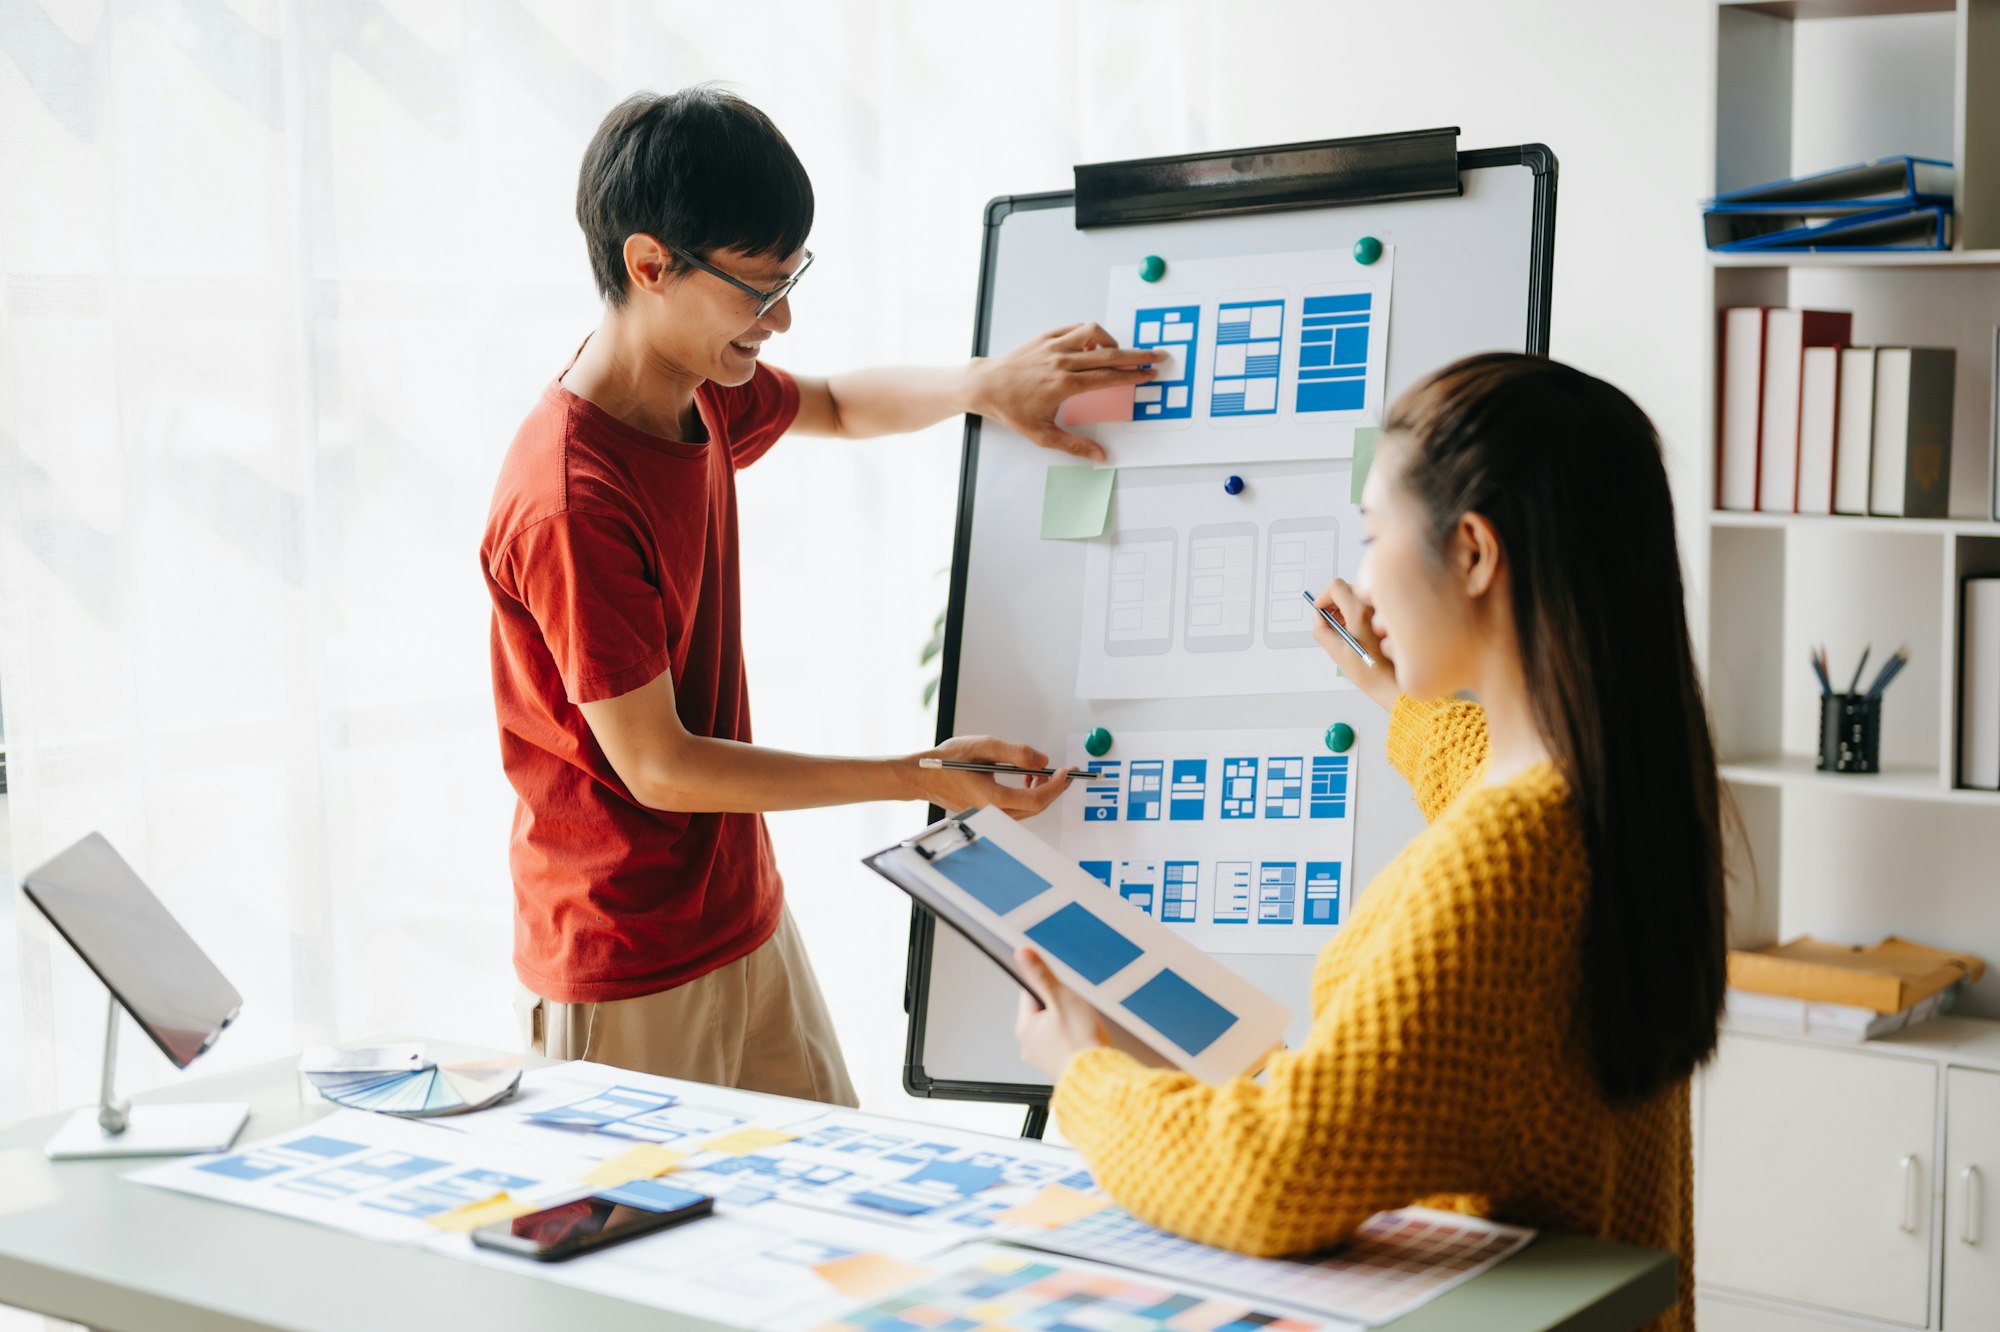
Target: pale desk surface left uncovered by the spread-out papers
133,1259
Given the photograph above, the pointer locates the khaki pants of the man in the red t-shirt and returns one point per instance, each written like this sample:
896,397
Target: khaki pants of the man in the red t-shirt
757,1025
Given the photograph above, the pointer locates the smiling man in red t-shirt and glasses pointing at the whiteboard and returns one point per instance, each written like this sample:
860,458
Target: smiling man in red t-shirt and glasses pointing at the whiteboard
651,927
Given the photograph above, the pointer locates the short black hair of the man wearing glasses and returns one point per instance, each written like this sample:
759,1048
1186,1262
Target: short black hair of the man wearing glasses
697,169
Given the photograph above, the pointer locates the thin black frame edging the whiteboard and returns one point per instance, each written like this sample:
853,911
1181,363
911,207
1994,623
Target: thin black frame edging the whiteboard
923,925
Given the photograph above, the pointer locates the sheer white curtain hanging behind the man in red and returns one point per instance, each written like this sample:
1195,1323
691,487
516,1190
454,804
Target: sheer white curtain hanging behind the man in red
279,283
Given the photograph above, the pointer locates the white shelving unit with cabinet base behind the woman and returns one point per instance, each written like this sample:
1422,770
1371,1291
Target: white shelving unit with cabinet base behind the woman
1809,85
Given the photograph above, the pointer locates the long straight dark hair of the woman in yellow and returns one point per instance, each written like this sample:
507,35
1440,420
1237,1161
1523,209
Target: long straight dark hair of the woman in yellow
1569,473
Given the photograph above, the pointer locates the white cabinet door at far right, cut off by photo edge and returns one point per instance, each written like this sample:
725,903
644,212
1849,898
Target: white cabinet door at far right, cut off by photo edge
1971,1215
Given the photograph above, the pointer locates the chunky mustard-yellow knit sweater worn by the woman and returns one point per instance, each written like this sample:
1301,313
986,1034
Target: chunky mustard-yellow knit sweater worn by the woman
1447,1061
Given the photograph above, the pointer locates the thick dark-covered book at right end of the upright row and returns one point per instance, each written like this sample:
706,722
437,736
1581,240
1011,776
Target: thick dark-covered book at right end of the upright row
1911,473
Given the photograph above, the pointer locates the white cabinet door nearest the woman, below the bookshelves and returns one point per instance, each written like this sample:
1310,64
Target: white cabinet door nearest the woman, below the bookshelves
1817,1177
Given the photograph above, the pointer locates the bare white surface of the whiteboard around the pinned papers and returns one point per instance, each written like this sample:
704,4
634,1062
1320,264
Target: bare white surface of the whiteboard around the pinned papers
1471,277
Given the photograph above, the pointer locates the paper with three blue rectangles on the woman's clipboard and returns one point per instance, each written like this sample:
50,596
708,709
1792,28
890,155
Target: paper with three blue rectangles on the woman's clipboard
1005,889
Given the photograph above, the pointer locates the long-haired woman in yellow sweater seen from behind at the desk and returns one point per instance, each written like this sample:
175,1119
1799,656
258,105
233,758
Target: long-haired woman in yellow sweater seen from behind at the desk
1509,1021
